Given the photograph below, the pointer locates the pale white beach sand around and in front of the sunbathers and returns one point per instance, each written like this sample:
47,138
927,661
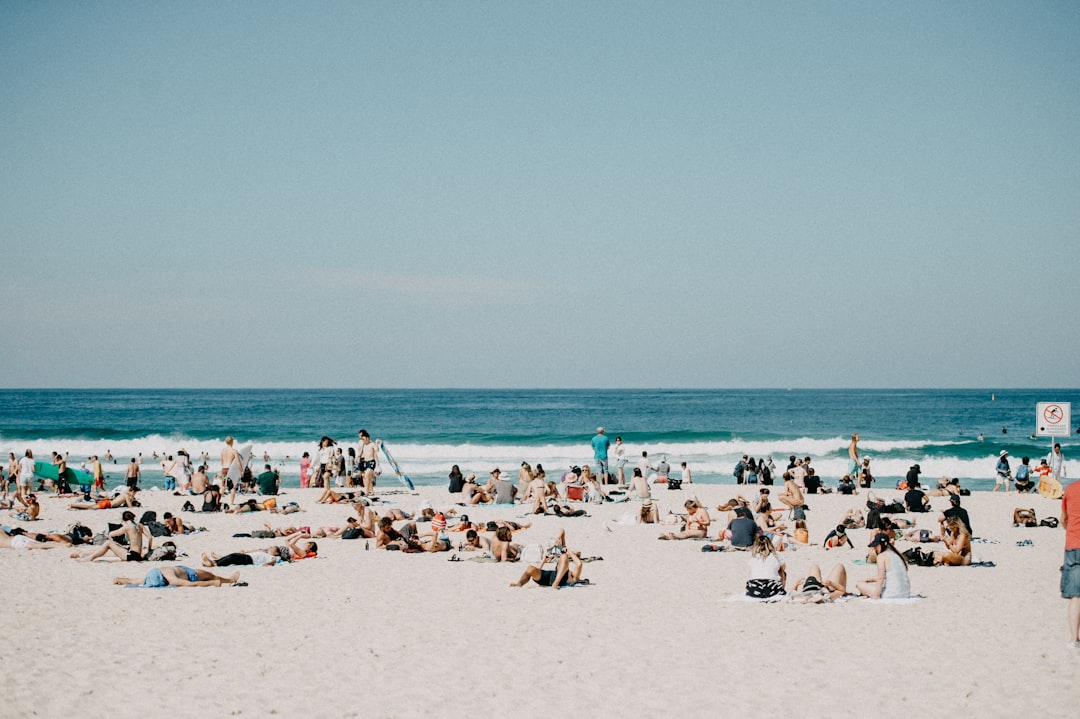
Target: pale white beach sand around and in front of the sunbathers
381,634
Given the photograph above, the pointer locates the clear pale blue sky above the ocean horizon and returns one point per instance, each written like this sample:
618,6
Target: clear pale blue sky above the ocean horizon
550,195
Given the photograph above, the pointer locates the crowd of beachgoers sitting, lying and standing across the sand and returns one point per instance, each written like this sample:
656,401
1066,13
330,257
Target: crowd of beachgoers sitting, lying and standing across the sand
766,528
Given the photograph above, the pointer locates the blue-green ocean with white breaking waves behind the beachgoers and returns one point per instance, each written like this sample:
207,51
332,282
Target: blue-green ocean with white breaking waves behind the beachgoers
956,433
